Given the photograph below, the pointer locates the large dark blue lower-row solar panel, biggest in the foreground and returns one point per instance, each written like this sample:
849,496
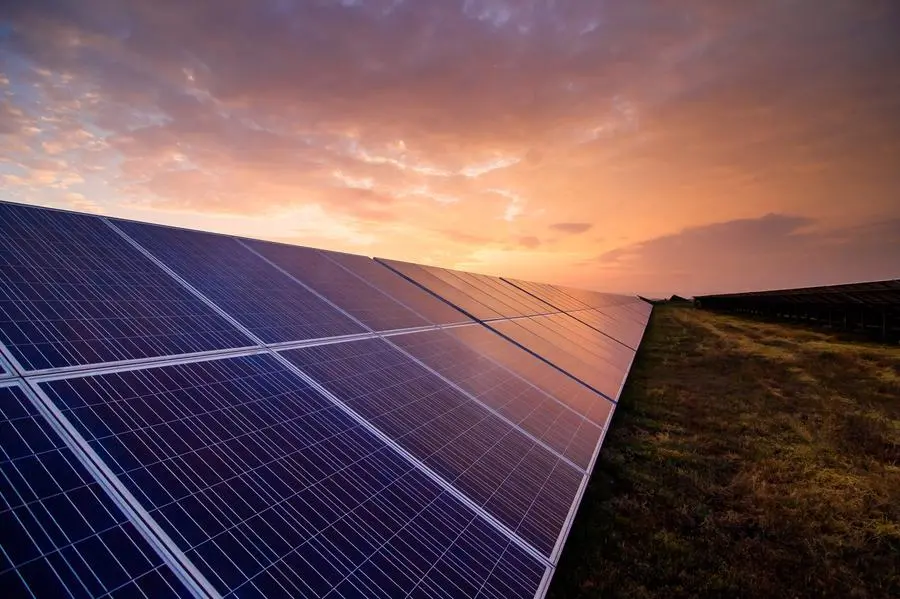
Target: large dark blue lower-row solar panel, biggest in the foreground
273,491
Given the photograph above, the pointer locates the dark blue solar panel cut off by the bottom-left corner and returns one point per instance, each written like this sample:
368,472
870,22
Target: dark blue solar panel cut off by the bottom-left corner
60,534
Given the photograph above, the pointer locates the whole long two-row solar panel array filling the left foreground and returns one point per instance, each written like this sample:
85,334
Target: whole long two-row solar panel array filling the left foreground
191,414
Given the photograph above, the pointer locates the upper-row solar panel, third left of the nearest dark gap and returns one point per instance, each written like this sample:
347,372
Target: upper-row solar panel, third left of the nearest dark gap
269,303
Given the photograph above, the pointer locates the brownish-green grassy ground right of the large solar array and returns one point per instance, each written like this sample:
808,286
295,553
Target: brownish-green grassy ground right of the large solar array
746,459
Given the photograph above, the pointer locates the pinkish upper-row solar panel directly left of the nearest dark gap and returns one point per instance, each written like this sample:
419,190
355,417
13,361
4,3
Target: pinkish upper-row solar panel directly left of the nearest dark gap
409,294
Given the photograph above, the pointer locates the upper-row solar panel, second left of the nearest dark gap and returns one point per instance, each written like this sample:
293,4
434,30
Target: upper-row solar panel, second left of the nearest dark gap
368,304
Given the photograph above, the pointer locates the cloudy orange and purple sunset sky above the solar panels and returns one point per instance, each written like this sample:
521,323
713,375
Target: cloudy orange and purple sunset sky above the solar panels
641,146
